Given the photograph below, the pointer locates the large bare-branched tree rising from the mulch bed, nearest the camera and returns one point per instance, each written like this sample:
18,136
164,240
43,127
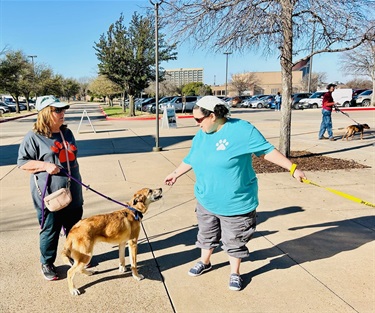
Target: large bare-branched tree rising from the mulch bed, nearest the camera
284,26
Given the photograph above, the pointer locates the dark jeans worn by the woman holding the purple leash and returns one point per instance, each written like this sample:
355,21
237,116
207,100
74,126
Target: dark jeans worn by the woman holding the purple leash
49,235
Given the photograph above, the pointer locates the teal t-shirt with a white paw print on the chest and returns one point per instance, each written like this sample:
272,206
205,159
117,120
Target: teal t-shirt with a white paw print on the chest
226,183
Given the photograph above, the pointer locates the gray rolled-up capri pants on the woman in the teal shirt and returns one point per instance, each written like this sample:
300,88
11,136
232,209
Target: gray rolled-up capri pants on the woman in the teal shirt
233,231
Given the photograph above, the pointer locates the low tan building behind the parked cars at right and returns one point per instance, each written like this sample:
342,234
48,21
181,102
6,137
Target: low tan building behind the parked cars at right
268,83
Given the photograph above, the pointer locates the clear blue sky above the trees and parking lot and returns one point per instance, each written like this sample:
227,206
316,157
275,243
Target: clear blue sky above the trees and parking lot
62,34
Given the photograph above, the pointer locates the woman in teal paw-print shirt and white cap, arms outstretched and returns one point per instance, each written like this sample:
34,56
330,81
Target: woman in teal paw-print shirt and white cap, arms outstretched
226,185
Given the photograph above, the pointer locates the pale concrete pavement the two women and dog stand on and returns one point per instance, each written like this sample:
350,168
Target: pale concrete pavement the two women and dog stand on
313,251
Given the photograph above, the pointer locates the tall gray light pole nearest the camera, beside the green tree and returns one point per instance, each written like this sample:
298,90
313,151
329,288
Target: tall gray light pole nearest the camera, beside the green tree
156,6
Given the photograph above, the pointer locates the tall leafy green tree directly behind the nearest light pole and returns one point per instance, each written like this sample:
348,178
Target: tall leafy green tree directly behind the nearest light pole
127,55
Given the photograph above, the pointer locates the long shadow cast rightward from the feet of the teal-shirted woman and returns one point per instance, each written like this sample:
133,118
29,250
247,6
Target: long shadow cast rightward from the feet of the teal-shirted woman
337,237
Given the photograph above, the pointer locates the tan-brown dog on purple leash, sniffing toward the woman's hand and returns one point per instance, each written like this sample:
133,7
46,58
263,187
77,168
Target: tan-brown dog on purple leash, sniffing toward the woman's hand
119,227
